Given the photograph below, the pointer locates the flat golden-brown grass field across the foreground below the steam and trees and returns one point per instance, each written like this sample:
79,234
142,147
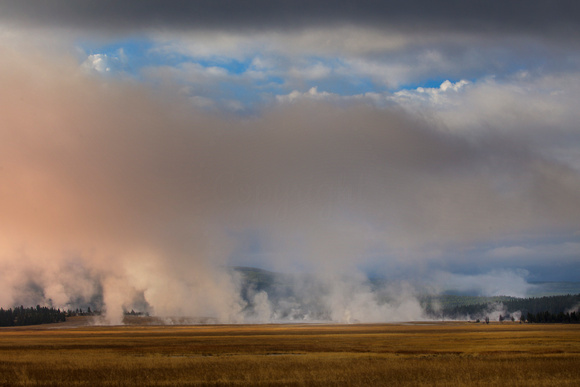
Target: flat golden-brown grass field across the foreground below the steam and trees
433,354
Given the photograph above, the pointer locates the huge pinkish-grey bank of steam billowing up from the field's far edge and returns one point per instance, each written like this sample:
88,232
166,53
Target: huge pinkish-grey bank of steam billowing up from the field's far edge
116,195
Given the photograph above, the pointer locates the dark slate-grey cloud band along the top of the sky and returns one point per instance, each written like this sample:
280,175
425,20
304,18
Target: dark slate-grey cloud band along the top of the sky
537,17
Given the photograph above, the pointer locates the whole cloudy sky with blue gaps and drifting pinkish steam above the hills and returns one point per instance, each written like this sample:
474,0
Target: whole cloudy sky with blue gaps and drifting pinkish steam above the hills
146,145
